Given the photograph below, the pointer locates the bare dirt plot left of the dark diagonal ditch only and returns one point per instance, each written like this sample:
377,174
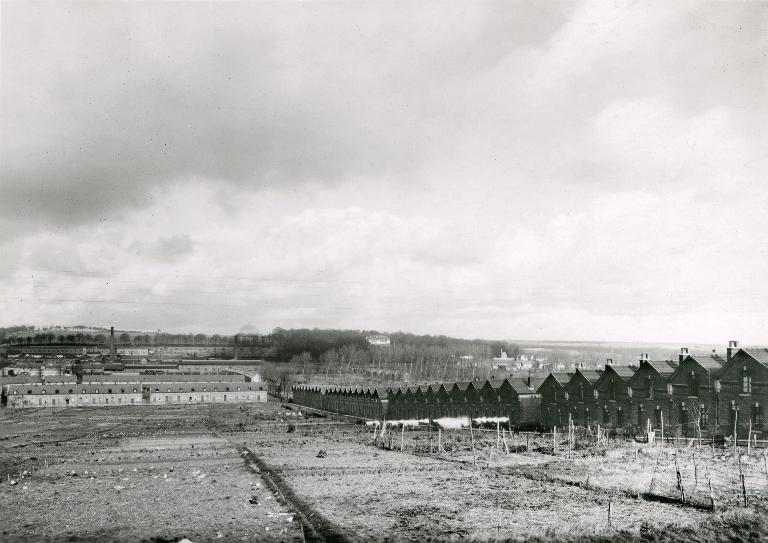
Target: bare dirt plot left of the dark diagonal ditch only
131,474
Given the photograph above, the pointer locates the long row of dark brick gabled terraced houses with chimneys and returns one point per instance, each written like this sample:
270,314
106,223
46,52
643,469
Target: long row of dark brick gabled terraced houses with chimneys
708,394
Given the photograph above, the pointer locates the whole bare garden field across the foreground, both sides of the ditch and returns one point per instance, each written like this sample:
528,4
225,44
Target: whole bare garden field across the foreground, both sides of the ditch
161,474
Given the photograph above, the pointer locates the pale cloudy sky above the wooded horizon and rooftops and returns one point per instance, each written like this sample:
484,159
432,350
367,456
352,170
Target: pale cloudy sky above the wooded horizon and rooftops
515,170
